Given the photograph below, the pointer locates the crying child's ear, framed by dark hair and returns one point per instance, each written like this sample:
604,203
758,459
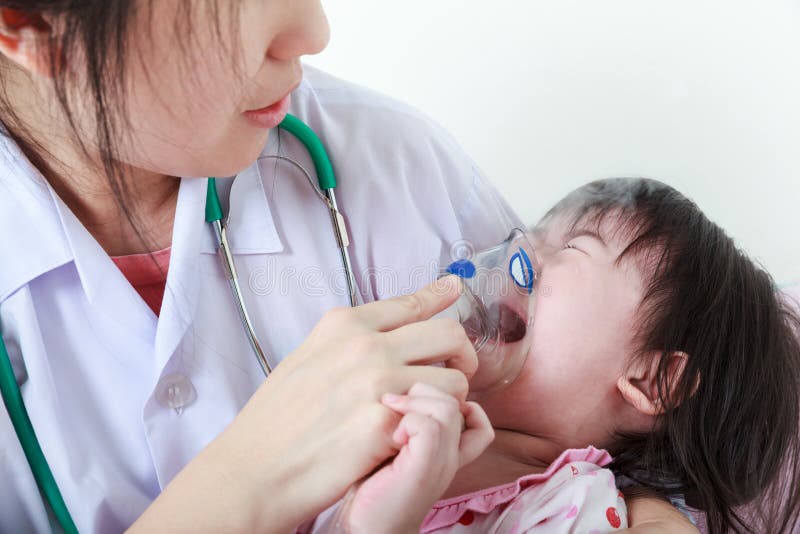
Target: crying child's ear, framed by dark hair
639,384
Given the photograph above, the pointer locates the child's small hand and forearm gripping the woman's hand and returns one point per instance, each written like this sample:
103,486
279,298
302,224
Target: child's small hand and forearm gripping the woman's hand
436,437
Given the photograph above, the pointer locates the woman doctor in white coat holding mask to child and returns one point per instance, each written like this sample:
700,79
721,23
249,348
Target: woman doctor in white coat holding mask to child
139,381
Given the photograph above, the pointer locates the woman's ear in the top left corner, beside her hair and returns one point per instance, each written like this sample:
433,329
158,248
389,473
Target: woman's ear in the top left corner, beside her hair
24,39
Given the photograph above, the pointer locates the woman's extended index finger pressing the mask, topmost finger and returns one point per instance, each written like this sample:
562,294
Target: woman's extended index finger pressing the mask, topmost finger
393,313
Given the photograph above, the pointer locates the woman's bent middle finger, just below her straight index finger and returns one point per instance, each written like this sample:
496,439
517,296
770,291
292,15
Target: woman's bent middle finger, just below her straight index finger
432,341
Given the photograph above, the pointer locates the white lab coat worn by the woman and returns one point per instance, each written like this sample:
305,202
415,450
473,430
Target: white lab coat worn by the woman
93,360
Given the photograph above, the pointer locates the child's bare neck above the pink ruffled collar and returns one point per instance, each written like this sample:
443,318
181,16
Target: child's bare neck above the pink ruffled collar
510,456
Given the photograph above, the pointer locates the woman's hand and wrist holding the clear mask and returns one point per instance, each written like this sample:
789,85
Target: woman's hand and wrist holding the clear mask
317,424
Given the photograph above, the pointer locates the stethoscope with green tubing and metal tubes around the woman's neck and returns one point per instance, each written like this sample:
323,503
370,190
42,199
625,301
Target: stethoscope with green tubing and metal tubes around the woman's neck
12,397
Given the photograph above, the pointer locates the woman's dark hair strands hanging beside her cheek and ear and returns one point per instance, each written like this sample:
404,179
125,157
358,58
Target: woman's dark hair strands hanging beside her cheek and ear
98,31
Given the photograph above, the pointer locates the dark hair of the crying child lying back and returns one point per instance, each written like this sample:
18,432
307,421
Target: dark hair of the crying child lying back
729,439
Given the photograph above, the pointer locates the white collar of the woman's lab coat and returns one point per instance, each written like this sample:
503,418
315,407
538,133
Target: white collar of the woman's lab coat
42,233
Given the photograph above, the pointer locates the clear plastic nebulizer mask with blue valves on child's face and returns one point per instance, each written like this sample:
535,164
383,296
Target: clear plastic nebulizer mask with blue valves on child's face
496,308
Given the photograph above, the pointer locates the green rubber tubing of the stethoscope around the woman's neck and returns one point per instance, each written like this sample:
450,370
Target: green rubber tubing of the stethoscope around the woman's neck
12,396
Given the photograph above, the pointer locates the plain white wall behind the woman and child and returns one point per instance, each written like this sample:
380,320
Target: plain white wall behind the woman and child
549,94
